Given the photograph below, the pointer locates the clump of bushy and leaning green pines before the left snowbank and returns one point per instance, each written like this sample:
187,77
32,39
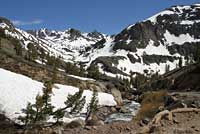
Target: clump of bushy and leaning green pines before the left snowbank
42,110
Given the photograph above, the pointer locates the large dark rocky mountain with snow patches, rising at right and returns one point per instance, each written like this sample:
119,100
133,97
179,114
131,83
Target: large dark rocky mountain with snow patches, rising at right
153,44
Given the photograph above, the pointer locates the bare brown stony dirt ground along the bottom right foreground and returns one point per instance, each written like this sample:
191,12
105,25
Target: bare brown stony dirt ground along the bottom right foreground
183,123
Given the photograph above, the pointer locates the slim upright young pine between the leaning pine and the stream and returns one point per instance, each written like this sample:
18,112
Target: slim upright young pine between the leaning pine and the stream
92,106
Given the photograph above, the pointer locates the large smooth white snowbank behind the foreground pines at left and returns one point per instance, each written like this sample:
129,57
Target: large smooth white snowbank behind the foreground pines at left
17,90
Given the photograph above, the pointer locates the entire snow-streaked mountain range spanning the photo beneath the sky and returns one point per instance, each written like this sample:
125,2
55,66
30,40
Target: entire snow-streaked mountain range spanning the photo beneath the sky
150,46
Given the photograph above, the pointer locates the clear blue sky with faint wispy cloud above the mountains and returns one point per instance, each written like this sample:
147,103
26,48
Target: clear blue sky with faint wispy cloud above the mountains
107,16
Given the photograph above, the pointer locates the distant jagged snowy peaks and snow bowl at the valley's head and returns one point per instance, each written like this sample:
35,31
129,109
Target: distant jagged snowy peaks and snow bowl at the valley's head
69,43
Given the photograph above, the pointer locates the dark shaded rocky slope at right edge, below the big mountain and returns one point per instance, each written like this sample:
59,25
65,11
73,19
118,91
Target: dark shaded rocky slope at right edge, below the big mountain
182,79
